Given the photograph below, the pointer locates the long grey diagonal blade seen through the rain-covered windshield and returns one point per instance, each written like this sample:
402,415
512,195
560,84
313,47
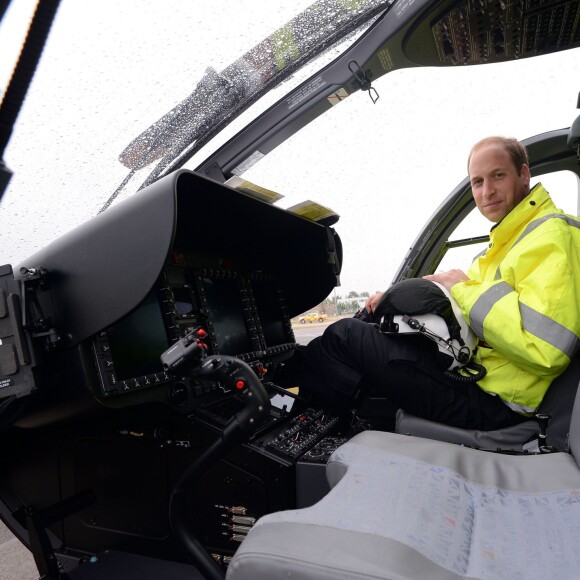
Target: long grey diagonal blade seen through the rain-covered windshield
220,97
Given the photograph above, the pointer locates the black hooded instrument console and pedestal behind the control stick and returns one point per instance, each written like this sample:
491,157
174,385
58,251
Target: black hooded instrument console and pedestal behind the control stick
120,291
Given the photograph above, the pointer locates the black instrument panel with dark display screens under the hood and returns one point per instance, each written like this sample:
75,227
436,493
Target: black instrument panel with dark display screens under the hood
244,313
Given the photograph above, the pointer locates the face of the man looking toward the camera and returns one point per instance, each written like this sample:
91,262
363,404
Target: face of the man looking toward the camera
497,188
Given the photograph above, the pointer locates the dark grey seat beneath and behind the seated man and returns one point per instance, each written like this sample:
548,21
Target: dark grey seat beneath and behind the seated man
557,403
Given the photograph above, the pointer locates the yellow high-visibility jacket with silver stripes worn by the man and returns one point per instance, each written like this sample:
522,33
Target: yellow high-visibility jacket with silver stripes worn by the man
523,300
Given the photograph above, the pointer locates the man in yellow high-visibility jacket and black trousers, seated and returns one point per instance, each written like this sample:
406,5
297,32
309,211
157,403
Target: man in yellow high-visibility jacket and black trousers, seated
521,297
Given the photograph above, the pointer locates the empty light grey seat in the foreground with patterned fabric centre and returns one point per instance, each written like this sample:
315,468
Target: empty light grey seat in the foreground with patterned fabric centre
404,507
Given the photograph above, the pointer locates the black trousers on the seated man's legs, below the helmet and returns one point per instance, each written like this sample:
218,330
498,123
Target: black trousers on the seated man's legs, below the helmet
405,368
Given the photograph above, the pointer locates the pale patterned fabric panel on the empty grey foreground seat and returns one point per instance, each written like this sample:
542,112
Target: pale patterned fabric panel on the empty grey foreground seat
467,528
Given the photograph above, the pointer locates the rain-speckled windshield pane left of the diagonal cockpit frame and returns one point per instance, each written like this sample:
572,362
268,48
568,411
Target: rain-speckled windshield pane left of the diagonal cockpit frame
122,90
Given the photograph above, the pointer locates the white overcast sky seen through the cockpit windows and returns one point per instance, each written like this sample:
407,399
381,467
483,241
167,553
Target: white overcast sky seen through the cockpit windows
384,168
